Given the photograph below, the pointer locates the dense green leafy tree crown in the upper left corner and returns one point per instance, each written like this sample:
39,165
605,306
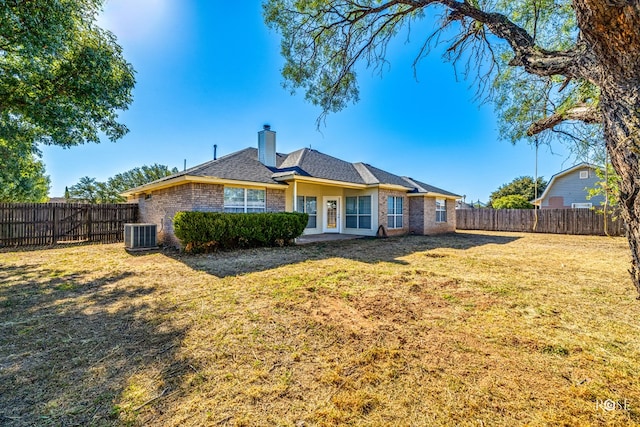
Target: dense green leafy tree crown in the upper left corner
62,80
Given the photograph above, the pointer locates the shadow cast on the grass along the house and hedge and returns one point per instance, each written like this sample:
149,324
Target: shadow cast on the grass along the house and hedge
367,250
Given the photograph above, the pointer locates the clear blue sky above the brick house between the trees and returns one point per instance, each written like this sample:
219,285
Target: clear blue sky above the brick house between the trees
208,72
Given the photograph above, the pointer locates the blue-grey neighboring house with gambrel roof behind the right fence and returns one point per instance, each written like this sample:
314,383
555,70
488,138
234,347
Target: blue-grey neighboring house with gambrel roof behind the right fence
569,188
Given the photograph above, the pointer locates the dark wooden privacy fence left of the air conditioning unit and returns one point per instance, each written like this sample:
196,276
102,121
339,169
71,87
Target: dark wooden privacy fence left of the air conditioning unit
35,224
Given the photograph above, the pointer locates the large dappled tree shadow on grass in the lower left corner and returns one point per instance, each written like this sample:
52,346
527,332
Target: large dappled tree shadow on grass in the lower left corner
70,344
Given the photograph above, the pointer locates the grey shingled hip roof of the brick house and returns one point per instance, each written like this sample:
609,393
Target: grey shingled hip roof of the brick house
244,166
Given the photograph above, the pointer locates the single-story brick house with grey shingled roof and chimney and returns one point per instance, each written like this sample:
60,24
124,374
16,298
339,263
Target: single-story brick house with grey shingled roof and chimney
340,197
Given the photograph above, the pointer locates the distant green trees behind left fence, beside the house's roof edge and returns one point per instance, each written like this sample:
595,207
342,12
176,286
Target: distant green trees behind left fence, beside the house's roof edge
88,190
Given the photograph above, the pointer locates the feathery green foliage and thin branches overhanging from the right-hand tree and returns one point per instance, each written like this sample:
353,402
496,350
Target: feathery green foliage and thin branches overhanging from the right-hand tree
325,42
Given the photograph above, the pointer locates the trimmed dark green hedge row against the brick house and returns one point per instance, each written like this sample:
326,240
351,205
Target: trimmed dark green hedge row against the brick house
210,231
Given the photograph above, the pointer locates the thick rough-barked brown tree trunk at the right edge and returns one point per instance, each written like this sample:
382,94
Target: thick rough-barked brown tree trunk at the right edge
611,30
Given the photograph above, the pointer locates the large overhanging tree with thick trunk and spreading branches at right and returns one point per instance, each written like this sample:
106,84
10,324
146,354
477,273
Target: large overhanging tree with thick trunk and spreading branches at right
554,65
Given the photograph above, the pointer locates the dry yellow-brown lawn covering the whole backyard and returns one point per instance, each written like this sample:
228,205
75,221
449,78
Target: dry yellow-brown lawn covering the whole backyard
476,328
